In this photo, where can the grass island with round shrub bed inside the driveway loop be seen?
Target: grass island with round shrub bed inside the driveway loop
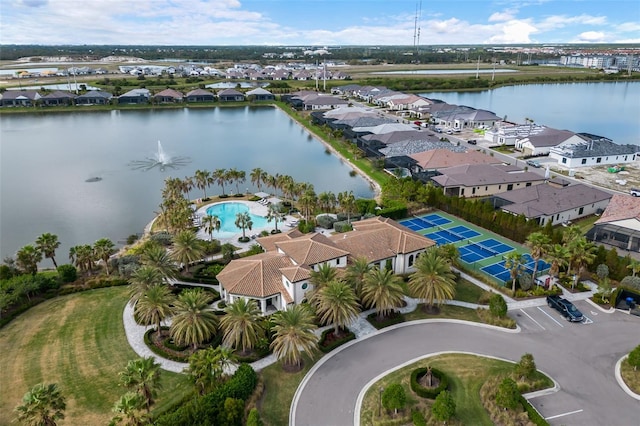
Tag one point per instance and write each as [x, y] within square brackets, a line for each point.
[467, 374]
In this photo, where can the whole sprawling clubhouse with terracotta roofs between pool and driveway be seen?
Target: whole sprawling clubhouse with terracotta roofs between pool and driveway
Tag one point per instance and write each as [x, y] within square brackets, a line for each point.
[280, 276]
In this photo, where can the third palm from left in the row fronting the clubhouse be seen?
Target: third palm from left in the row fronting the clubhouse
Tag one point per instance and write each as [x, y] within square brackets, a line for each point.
[241, 325]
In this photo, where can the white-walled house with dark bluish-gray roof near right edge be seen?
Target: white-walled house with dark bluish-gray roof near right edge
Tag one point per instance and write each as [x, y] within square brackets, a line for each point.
[593, 150]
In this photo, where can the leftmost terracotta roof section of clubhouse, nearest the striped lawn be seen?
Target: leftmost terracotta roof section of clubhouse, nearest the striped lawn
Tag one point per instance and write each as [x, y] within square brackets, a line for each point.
[256, 276]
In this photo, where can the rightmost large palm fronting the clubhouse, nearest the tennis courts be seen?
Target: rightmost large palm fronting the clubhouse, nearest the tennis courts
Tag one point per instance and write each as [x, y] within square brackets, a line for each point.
[433, 280]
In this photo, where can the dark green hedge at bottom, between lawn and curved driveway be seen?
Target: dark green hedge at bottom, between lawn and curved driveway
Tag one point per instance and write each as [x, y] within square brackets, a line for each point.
[208, 410]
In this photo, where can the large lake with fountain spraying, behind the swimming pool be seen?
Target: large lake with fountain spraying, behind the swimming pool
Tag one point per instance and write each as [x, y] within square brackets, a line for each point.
[46, 159]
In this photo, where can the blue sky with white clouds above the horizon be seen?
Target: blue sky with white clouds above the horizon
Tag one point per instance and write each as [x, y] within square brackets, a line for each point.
[318, 22]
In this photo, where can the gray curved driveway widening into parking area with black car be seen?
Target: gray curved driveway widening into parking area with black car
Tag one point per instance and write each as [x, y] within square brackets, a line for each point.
[581, 358]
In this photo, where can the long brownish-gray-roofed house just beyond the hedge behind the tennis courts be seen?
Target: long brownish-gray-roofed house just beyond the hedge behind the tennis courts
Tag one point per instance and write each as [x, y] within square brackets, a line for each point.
[553, 204]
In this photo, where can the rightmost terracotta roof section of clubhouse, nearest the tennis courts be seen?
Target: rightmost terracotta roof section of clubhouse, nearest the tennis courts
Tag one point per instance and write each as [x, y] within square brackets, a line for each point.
[380, 238]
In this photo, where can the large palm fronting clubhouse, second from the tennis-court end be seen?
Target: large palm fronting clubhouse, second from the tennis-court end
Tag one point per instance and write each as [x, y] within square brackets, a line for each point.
[382, 290]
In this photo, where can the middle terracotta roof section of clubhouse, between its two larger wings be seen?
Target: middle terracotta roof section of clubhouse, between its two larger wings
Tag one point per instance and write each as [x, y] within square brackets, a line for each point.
[310, 249]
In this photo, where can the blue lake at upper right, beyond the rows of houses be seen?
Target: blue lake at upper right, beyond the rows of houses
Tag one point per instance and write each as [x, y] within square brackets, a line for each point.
[611, 110]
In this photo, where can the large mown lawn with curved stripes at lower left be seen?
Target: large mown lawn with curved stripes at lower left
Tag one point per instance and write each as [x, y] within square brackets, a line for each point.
[78, 342]
